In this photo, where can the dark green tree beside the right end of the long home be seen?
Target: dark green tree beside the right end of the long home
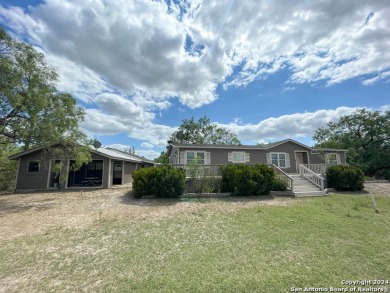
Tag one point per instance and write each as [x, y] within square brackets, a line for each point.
[366, 134]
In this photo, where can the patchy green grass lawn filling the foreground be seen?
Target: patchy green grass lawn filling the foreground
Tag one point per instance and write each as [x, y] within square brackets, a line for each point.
[317, 242]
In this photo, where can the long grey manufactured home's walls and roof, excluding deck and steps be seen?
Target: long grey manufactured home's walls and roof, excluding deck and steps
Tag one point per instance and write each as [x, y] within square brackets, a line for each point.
[286, 155]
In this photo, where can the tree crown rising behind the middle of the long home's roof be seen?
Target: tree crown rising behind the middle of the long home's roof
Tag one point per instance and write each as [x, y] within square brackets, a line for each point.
[203, 132]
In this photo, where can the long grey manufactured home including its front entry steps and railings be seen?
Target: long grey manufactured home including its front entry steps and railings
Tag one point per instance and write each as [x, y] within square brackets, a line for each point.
[291, 159]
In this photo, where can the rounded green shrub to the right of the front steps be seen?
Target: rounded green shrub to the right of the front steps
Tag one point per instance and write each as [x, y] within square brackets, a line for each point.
[345, 178]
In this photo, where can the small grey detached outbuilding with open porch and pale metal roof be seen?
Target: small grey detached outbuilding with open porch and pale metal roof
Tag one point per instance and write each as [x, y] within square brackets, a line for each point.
[109, 167]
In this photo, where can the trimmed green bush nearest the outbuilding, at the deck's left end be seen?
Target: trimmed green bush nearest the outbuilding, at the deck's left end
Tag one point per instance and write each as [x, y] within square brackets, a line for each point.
[159, 182]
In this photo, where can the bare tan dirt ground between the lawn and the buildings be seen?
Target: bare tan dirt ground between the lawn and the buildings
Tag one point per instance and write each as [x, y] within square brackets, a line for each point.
[36, 213]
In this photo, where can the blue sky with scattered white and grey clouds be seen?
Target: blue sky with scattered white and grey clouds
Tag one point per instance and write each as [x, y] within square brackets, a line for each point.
[266, 70]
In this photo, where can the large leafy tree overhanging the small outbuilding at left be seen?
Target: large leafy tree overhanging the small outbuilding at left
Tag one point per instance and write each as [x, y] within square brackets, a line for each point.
[32, 110]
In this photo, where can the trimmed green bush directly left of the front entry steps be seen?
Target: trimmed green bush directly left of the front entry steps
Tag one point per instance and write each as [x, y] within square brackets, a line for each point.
[244, 180]
